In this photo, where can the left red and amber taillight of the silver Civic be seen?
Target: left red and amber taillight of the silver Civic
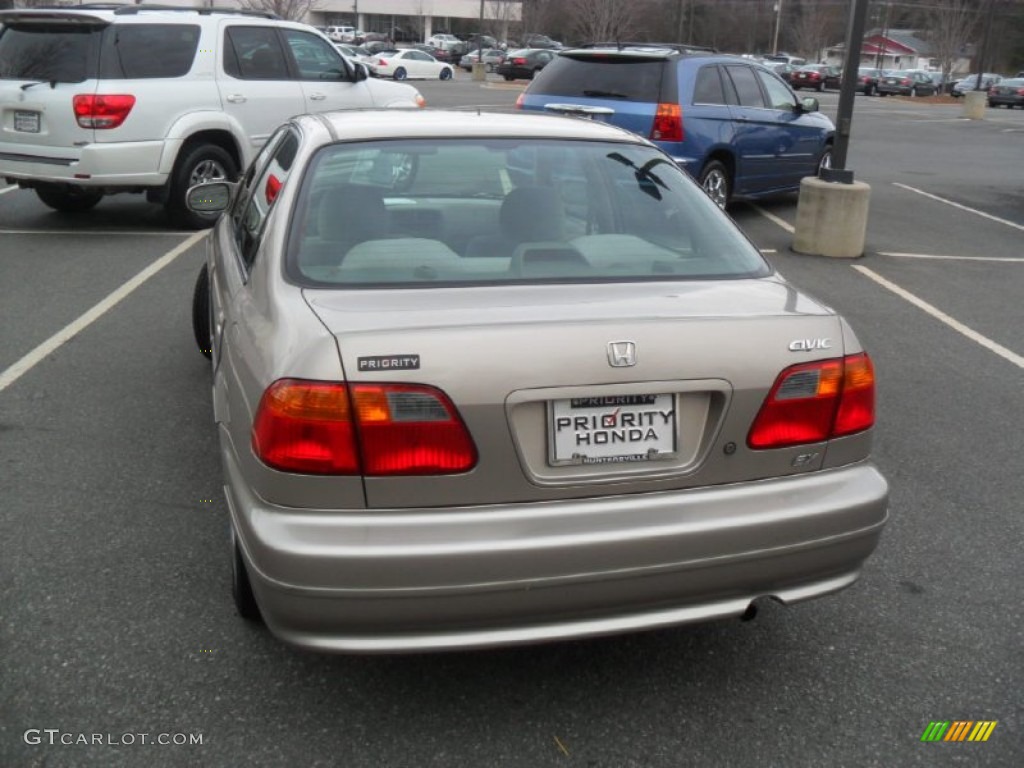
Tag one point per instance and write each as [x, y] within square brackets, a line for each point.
[373, 430]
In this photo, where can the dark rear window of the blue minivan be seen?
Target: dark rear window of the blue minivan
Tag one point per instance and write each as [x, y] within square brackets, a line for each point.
[594, 77]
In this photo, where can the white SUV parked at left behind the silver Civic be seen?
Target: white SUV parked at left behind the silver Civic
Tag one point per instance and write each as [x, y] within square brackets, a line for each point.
[97, 102]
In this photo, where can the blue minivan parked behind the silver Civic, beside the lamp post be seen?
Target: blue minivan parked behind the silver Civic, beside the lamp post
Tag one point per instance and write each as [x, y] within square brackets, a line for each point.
[735, 125]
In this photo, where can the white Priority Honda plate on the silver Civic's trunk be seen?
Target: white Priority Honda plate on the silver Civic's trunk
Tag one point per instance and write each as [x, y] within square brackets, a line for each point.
[613, 430]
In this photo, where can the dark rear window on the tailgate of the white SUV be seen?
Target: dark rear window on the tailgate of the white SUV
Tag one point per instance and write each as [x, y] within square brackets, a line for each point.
[65, 55]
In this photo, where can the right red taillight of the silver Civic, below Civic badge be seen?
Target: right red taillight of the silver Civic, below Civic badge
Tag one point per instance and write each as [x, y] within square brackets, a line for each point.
[817, 402]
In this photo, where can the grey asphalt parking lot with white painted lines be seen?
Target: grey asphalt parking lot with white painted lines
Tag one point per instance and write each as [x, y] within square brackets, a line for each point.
[115, 610]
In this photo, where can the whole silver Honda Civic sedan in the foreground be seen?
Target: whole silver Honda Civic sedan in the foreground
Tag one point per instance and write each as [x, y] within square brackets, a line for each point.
[495, 379]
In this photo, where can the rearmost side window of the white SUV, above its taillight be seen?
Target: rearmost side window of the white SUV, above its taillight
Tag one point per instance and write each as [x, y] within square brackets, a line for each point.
[149, 51]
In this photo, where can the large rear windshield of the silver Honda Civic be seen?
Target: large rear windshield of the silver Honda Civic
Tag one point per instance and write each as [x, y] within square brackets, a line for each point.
[424, 214]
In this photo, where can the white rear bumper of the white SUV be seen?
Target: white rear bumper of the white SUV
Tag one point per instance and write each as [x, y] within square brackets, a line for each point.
[124, 164]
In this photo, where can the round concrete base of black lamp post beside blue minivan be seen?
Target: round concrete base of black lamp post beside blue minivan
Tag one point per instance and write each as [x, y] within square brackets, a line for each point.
[832, 219]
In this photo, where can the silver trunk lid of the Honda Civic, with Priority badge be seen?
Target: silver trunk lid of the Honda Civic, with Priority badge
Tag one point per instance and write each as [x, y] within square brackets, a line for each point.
[568, 390]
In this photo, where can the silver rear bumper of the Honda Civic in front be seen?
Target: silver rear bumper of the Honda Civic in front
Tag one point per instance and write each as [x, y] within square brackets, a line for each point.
[388, 581]
